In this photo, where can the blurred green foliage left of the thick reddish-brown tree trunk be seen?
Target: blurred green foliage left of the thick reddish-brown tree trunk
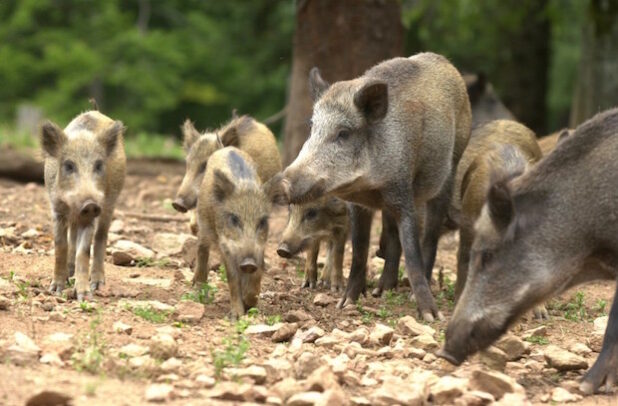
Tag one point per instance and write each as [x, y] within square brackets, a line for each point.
[197, 59]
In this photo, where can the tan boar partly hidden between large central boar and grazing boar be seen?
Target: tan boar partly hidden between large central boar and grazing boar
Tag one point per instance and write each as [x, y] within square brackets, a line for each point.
[497, 146]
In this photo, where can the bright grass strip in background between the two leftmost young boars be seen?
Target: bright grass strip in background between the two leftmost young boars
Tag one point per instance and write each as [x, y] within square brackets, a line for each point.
[144, 145]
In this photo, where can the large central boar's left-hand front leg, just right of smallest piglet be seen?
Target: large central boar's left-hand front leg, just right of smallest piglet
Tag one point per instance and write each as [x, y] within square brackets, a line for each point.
[360, 222]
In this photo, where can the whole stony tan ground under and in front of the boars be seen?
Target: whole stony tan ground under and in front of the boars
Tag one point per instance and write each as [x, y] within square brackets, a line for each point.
[150, 337]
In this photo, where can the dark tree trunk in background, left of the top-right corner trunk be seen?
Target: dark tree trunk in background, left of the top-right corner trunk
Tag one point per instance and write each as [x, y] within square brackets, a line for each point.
[524, 78]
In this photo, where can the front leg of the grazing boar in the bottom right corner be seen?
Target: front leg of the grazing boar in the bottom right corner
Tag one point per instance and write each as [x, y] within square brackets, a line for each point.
[605, 368]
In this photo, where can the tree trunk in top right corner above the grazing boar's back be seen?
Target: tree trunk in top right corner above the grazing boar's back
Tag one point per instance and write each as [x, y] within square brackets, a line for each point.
[597, 82]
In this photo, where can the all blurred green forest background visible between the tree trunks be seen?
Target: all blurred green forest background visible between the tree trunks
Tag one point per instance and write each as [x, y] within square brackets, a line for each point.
[154, 63]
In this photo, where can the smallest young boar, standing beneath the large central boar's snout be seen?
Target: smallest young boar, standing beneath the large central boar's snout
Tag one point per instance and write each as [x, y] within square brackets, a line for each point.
[309, 224]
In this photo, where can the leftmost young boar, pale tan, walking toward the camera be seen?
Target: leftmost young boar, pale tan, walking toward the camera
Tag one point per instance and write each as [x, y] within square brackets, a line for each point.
[84, 174]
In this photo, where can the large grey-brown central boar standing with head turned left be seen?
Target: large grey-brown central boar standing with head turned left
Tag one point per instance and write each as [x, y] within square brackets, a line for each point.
[391, 140]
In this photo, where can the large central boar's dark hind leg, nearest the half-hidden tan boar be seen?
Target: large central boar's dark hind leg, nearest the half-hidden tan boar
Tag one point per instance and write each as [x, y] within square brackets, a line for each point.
[435, 213]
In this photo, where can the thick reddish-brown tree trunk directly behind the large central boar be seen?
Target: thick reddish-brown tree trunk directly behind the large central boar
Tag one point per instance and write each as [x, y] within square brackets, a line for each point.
[343, 38]
